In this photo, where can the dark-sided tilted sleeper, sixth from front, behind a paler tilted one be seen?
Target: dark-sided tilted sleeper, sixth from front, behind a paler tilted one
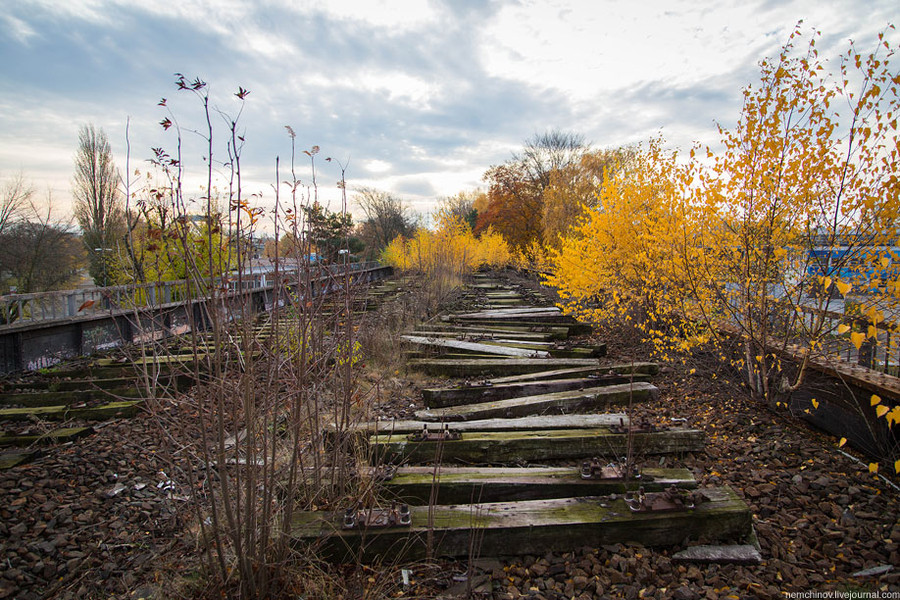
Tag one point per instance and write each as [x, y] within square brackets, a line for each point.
[442, 397]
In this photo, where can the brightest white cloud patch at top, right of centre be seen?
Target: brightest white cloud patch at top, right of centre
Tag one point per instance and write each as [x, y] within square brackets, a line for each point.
[586, 47]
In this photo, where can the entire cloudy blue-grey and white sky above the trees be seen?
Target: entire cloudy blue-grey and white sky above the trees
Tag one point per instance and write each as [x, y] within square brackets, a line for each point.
[417, 97]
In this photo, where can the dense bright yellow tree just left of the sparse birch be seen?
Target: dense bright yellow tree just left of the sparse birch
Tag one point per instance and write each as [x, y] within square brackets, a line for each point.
[627, 259]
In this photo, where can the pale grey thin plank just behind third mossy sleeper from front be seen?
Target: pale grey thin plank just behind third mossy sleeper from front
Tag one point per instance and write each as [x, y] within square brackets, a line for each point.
[520, 424]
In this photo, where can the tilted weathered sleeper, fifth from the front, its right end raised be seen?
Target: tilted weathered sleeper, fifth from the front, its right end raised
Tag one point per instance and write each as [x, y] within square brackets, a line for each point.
[595, 399]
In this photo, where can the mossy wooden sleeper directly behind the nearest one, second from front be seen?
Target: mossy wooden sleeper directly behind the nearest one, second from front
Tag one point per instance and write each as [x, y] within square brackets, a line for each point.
[459, 485]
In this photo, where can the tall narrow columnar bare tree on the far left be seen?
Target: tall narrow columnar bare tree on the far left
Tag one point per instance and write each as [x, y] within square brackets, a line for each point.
[98, 206]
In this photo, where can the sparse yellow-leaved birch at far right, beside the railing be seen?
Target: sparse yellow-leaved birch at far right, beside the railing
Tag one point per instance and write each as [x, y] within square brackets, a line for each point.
[802, 205]
